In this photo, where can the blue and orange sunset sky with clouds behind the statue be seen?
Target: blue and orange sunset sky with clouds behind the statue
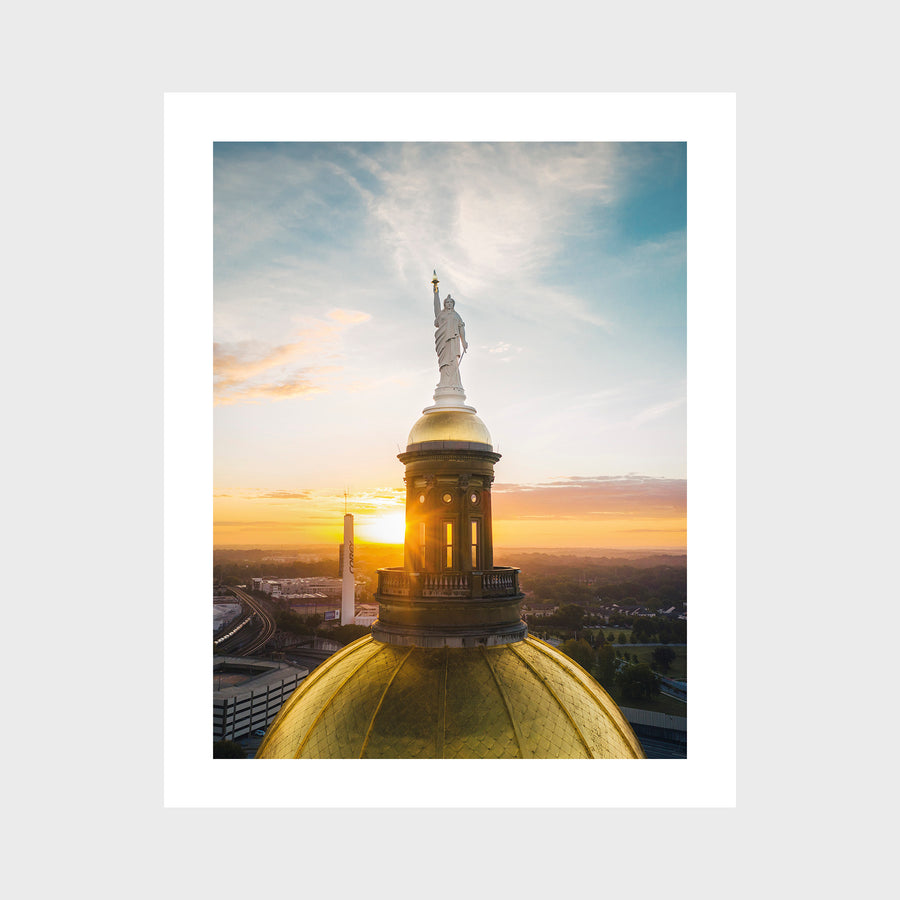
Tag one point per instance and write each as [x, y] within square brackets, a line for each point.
[568, 266]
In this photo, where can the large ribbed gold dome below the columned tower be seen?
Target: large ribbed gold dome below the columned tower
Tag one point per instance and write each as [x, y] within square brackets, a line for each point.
[378, 701]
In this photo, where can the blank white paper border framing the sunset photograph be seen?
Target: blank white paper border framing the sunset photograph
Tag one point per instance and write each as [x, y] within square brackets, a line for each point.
[192, 123]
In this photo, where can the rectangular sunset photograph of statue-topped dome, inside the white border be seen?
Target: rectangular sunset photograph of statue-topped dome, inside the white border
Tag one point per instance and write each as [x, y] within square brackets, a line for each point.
[449, 513]
